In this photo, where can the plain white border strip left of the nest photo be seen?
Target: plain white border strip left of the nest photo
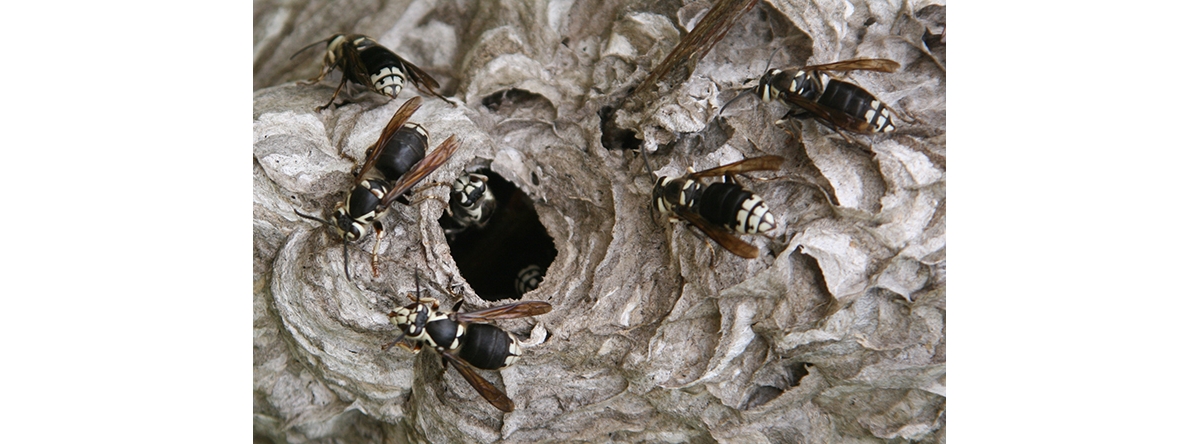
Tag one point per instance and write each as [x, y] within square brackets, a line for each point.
[127, 311]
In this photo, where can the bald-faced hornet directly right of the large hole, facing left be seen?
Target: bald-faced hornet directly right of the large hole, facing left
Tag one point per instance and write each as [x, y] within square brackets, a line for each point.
[721, 208]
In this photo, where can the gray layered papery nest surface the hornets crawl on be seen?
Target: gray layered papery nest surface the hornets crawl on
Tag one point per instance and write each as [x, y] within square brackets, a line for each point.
[836, 334]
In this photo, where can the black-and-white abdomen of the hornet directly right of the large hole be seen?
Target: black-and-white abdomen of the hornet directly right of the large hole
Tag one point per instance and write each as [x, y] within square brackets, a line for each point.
[734, 207]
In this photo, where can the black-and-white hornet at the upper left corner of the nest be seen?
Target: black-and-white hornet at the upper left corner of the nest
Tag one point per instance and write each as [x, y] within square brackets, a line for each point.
[368, 63]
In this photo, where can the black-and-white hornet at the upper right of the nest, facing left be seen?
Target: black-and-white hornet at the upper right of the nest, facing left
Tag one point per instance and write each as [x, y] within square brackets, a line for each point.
[812, 93]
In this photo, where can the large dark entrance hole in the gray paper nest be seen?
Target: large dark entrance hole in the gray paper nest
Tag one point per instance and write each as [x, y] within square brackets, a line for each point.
[508, 255]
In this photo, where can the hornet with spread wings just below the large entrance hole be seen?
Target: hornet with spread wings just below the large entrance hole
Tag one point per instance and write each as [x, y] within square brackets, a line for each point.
[465, 340]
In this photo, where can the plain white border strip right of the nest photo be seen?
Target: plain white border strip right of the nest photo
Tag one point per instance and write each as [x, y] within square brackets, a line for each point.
[1072, 227]
